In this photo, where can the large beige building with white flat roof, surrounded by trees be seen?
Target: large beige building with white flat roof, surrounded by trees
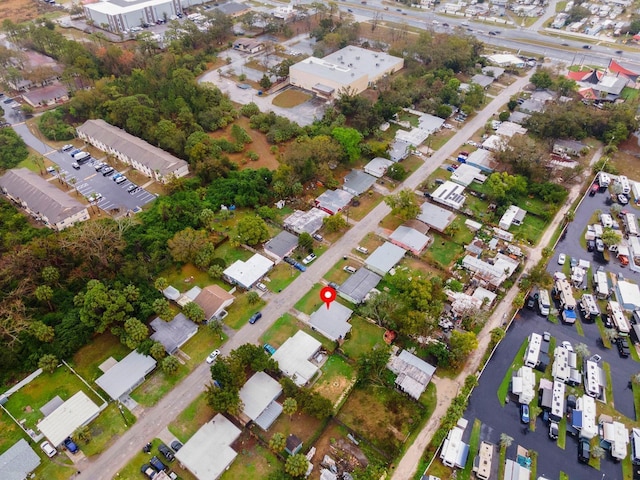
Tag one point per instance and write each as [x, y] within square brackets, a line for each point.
[351, 68]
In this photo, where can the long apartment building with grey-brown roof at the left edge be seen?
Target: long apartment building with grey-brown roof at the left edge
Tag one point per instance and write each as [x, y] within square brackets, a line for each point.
[42, 200]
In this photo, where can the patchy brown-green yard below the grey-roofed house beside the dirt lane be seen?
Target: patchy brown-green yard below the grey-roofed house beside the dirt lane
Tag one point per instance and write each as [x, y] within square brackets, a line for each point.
[381, 415]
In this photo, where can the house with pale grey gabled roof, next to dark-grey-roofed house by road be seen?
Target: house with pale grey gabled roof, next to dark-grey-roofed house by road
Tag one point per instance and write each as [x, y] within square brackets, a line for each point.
[126, 375]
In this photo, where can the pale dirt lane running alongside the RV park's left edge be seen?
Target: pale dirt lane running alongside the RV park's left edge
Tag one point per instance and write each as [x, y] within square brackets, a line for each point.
[445, 387]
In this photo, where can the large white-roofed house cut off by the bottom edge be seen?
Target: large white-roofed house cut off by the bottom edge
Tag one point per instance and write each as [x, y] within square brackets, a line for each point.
[208, 453]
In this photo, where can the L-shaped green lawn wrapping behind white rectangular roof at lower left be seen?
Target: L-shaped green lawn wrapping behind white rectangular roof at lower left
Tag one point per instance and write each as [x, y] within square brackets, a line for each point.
[25, 404]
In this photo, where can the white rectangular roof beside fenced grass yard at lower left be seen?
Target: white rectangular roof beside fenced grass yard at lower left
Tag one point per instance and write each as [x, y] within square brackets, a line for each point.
[79, 410]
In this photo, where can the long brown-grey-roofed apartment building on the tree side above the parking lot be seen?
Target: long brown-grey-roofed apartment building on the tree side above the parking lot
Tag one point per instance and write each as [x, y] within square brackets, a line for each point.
[151, 161]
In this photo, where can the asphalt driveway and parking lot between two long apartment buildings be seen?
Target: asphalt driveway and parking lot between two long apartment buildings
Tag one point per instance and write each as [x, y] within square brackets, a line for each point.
[87, 180]
